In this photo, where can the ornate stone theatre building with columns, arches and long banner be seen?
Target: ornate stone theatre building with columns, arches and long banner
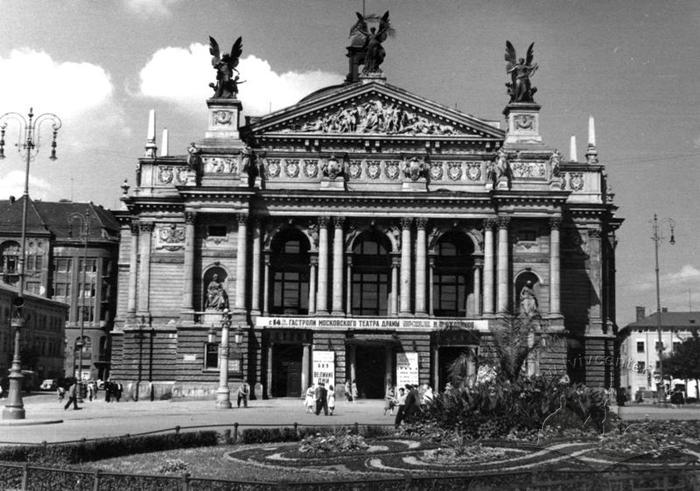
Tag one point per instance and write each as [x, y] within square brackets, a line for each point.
[364, 233]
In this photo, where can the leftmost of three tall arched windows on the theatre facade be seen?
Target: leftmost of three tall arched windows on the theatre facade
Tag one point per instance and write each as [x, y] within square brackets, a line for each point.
[290, 273]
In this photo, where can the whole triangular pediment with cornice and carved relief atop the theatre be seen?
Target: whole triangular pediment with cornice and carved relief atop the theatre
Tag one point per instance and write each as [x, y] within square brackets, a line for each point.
[373, 109]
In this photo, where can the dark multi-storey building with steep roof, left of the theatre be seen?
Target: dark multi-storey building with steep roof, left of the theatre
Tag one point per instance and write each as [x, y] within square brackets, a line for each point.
[63, 266]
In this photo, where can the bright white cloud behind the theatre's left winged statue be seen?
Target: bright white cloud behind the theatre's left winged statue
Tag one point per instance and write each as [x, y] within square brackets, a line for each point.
[182, 76]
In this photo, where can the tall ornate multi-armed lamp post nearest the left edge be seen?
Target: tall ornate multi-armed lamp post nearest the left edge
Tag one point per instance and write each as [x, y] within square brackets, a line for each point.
[28, 145]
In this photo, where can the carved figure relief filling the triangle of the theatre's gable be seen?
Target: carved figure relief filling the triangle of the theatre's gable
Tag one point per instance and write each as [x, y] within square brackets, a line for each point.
[375, 116]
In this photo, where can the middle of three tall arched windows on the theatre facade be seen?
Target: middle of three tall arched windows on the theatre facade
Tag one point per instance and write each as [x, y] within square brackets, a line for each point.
[371, 271]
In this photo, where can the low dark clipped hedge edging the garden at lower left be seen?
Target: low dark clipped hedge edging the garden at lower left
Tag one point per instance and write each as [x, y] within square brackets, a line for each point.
[86, 451]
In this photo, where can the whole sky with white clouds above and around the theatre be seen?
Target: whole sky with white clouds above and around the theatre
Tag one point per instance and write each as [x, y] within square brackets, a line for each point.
[633, 64]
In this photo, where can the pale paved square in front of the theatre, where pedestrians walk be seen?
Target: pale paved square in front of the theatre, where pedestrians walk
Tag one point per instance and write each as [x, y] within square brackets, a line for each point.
[99, 419]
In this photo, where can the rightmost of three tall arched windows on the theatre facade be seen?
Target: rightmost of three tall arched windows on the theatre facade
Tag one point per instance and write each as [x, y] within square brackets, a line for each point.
[452, 275]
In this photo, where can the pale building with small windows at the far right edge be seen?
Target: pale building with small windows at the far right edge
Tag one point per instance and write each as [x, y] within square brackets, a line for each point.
[639, 353]
